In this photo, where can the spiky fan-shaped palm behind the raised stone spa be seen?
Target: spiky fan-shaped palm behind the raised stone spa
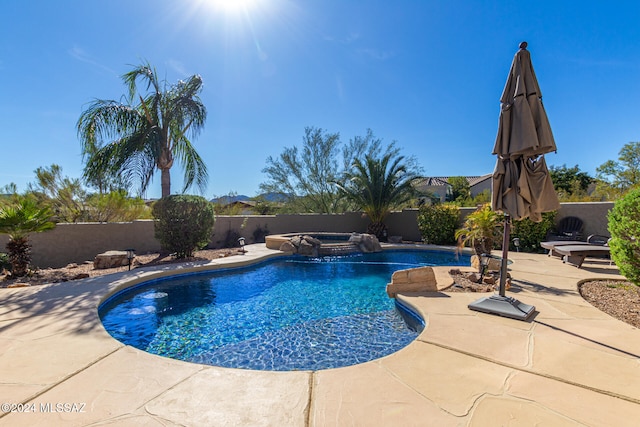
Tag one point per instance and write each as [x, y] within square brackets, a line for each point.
[376, 185]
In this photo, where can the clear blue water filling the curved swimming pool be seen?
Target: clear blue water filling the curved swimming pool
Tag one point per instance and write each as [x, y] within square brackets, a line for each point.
[290, 313]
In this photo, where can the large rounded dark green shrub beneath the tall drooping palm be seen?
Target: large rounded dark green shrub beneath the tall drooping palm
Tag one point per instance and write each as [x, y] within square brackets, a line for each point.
[183, 224]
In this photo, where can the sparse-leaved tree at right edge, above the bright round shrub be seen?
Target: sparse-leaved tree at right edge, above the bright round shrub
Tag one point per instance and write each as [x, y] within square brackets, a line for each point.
[622, 175]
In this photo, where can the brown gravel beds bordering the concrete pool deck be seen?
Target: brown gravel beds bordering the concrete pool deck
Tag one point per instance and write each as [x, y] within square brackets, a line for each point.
[619, 299]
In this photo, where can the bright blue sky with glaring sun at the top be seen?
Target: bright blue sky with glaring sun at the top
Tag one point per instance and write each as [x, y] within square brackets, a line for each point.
[427, 74]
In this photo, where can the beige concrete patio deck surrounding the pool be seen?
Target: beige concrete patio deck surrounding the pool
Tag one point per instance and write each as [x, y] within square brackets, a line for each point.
[569, 365]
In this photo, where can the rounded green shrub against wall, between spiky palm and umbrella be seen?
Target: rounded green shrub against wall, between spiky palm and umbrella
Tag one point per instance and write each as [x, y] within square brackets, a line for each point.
[438, 223]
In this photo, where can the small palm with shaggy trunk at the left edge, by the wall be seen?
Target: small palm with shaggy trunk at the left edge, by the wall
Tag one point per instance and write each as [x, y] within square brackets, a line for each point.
[18, 220]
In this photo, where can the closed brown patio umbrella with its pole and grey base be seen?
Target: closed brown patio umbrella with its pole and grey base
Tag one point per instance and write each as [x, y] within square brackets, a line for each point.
[521, 186]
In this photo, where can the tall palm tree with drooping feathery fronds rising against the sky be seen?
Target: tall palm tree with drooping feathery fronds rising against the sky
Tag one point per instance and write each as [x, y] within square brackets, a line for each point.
[132, 140]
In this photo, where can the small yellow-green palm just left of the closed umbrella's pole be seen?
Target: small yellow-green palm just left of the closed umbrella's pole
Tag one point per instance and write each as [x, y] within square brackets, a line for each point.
[480, 230]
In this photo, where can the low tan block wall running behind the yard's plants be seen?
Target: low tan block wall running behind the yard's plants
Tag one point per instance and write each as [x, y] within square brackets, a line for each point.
[80, 242]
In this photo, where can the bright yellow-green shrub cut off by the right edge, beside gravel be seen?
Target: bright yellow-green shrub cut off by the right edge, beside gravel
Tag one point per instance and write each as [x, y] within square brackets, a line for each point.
[624, 226]
